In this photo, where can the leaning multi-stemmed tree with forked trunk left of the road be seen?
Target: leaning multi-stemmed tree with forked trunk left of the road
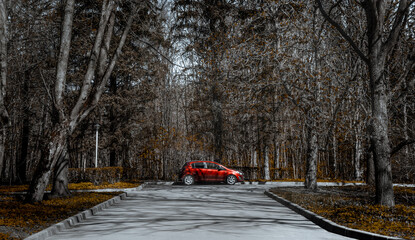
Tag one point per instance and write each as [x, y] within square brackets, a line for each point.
[65, 120]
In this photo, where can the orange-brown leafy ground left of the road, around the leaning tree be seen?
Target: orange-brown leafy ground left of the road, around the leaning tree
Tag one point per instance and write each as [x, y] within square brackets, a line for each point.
[18, 220]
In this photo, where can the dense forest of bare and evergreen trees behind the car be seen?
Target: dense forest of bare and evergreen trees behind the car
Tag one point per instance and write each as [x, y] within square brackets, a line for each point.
[279, 89]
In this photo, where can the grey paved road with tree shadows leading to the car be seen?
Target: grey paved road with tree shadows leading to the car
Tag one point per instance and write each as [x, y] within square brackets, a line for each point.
[198, 212]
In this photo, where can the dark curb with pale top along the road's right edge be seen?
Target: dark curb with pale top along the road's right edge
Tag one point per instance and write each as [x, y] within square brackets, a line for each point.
[327, 224]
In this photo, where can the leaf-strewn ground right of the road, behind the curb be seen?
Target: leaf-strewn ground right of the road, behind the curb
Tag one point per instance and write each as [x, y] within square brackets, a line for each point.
[353, 207]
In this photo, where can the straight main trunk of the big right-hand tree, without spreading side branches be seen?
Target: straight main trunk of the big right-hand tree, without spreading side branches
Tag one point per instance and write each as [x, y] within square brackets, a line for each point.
[378, 130]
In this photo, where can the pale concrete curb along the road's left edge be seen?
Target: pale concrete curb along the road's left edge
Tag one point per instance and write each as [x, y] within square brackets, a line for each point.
[80, 217]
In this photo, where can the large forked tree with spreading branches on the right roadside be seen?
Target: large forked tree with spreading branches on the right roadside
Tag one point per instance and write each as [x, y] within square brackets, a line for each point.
[383, 30]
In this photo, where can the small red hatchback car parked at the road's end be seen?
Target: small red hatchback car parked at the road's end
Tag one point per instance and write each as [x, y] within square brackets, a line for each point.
[208, 171]
